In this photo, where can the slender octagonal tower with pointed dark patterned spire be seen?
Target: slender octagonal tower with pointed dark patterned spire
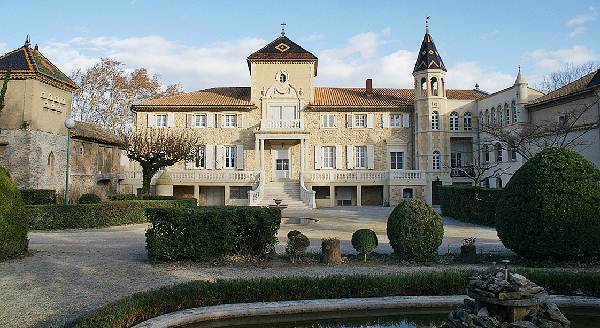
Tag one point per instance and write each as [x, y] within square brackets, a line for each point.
[432, 143]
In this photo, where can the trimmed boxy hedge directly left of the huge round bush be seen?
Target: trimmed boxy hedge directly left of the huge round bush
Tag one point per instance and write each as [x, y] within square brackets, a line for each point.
[470, 204]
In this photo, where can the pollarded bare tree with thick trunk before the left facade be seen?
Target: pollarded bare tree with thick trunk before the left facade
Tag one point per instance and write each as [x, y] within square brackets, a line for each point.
[155, 149]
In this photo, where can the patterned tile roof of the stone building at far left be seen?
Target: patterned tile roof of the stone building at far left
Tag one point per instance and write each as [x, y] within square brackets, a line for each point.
[25, 61]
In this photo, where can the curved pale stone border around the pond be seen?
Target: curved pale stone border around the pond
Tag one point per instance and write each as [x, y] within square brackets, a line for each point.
[231, 311]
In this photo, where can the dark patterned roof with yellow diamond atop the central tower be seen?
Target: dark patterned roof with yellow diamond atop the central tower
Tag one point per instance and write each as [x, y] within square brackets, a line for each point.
[282, 48]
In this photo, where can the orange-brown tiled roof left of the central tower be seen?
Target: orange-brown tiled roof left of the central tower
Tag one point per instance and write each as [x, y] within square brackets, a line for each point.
[214, 97]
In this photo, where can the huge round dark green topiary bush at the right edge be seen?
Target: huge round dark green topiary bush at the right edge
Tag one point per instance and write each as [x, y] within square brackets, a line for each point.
[550, 208]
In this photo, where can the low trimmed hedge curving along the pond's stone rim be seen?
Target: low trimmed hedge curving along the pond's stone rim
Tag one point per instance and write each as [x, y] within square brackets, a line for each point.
[146, 305]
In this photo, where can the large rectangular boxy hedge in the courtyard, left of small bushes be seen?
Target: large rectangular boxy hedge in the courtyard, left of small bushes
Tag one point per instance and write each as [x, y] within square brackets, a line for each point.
[206, 233]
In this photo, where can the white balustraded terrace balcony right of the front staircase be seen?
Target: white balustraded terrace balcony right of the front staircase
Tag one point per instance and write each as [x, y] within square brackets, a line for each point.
[396, 177]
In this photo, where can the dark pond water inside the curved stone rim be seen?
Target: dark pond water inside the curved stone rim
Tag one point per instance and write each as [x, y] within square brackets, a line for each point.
[423, 318]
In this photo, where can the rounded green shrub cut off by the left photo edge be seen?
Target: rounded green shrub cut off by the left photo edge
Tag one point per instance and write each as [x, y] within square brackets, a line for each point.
[13, 223]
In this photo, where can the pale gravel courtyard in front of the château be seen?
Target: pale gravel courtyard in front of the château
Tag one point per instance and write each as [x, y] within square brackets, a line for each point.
[74, 271]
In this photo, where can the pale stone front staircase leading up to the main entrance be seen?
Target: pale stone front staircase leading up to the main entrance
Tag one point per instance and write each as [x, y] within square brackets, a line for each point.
[288, 191]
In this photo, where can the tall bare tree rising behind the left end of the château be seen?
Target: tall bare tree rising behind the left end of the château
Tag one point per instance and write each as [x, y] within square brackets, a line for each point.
[107, 92]
